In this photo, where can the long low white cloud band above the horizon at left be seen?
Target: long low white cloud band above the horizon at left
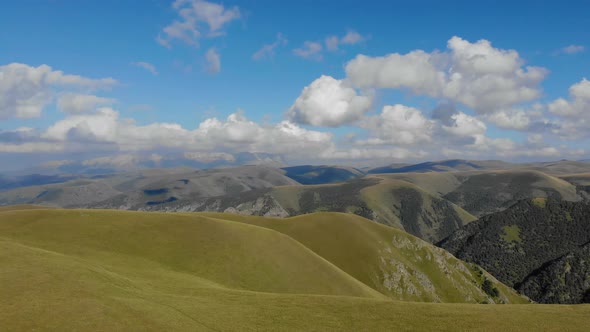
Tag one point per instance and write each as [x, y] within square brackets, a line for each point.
[105, 130]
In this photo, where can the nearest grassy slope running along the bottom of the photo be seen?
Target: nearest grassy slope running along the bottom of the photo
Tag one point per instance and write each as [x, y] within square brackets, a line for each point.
[65, 294]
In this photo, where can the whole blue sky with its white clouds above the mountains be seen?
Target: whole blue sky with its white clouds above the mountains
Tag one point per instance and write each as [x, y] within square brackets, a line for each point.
[168, 79]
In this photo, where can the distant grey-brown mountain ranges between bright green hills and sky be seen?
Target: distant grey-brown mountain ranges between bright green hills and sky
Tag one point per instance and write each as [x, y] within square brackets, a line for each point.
[429, 205]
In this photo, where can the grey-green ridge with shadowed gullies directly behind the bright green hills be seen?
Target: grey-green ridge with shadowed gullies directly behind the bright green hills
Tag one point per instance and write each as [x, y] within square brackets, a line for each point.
[391, 202]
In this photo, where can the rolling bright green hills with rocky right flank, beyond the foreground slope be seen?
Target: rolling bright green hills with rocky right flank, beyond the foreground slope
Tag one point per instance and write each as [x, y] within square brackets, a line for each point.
[258, 254]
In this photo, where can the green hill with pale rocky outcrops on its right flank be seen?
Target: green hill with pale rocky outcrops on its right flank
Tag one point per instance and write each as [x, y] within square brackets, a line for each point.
[374, 253]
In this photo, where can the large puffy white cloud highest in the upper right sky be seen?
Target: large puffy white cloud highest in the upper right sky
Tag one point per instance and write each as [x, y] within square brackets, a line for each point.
[474, 74]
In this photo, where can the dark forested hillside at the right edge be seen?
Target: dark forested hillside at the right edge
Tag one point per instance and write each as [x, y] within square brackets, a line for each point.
[537, 246]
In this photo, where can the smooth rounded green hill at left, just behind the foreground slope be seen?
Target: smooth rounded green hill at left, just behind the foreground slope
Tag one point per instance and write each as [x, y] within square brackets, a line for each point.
[231, 254]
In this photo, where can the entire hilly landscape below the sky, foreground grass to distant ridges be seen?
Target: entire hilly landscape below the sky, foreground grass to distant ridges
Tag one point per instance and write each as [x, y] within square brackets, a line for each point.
[254, 237]
